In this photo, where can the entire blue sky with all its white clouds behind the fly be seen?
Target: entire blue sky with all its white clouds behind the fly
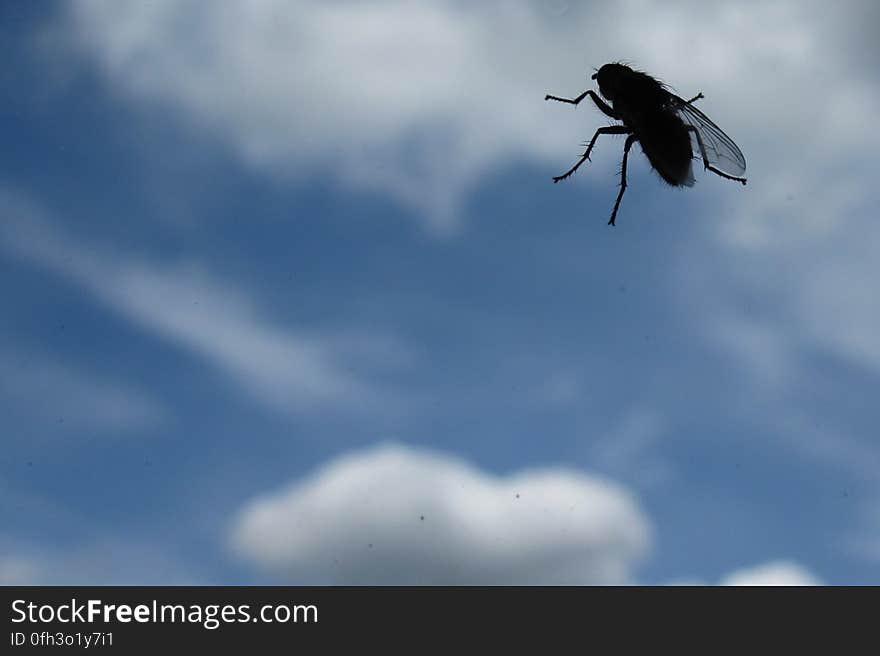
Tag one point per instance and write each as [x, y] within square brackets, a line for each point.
[292, 298]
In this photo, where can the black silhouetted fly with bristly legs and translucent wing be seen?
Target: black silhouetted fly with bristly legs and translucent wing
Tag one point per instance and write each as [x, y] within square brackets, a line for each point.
[663, 124]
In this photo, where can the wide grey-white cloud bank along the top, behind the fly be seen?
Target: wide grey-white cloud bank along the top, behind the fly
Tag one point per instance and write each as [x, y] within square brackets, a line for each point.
[420, 99]
